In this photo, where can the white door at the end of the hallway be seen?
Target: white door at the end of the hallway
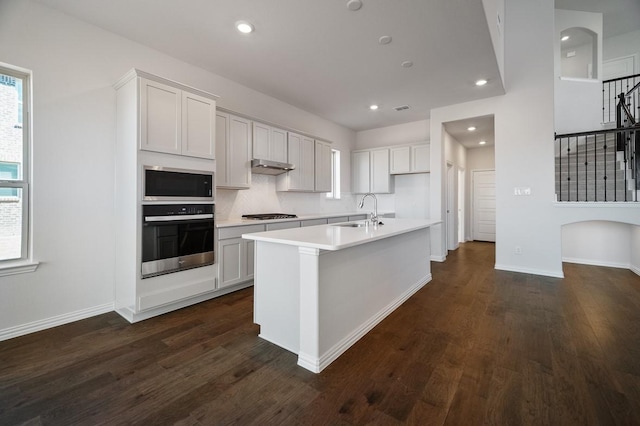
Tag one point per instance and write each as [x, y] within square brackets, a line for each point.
[484, 205]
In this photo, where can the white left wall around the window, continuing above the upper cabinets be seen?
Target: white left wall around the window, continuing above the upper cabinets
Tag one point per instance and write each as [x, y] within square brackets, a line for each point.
[74, 67]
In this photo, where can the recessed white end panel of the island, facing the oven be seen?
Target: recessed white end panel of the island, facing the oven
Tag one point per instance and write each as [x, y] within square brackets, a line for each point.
[277, 293]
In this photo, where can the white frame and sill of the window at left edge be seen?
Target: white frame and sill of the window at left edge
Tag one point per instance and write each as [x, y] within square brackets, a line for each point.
[25, 263]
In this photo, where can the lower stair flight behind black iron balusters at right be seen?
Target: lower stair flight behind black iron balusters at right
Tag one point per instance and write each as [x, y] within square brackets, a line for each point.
[589, 168]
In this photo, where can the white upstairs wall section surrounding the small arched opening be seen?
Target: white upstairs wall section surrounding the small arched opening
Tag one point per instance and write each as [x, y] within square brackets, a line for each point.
[578, 103]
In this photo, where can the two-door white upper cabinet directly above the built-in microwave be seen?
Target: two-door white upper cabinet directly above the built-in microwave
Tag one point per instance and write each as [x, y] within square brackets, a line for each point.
[175, 120]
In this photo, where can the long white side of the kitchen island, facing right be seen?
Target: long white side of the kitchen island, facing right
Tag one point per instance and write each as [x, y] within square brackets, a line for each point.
[360, 286]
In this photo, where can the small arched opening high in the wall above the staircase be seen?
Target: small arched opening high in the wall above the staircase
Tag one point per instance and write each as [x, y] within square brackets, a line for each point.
[579, 53]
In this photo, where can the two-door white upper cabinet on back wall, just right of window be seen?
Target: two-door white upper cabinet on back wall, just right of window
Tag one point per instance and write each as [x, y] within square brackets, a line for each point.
[370, 171]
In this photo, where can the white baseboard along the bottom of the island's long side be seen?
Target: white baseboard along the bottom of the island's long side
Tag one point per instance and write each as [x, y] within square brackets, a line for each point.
[316, 365]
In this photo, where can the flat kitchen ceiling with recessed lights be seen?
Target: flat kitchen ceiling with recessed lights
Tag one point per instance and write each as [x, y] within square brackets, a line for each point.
[319, 55]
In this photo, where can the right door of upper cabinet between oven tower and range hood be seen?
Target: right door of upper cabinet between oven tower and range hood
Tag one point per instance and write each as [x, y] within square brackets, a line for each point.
[239, 153]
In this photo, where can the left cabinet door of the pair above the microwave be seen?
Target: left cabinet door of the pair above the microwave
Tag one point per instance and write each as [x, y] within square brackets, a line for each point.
[160, 117]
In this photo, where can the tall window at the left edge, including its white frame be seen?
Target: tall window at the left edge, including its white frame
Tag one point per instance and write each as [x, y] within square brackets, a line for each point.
[15, 86]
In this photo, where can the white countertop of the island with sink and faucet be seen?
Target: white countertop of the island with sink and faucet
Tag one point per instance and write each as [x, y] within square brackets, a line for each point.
[332, 237]
